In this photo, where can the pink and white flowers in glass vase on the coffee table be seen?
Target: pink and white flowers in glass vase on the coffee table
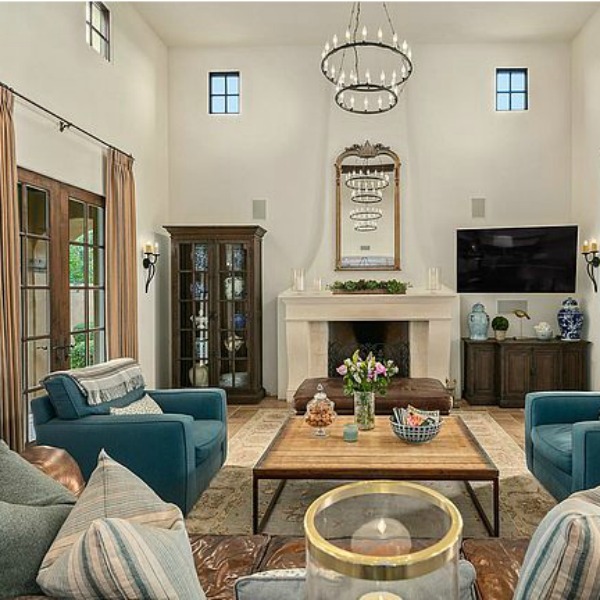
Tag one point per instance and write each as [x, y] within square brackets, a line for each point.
[364, 378]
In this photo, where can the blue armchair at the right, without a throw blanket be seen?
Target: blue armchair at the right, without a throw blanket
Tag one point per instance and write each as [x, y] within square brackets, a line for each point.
[562, 440]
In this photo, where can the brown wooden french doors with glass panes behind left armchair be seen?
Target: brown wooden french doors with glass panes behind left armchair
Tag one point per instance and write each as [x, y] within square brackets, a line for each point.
[62, 280]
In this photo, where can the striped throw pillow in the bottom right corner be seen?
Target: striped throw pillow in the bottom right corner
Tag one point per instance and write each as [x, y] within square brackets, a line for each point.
[563, 557]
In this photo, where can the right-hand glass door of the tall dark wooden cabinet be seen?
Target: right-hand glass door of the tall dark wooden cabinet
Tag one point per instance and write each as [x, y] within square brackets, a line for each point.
[233, 367]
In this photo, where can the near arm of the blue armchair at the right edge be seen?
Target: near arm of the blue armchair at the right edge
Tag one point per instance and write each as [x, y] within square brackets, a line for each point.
[586, 455]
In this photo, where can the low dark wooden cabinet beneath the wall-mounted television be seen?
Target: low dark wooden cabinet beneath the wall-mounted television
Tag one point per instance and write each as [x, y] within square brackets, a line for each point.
[503, 372]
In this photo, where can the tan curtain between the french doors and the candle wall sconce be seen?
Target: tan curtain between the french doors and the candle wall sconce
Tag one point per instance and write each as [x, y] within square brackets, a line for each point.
[121, 258]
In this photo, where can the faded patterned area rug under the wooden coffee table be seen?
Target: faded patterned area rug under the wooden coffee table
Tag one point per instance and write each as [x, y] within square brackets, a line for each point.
[225, 508]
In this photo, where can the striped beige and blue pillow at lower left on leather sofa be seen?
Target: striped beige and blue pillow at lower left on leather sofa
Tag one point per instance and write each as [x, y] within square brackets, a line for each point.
[120, 531]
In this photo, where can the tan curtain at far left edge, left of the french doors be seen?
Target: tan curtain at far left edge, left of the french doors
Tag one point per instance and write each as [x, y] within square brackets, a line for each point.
[12, 411]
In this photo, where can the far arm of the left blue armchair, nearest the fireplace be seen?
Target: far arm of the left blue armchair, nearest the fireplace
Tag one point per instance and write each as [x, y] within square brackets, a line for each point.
[200, 403]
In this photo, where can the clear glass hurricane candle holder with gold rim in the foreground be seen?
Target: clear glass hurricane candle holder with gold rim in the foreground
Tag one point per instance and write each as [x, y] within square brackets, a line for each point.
[382, 540]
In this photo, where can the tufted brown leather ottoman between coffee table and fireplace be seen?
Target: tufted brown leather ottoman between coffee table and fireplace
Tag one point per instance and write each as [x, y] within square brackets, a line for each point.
[420, 392]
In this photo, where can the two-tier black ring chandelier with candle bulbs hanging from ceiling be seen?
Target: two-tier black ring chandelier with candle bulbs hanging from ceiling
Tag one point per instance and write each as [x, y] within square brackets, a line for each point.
[357, 67]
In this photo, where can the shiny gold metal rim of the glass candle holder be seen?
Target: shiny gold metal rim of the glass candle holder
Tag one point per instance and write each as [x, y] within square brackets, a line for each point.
[376, 568]
